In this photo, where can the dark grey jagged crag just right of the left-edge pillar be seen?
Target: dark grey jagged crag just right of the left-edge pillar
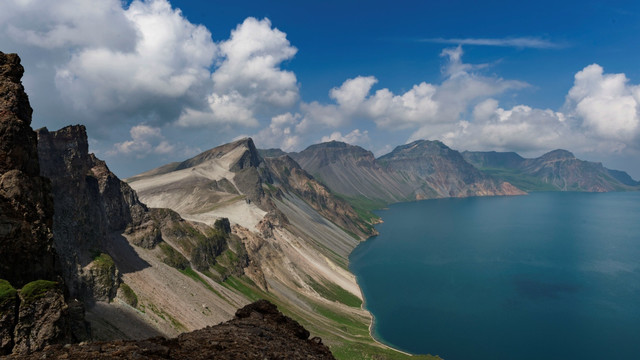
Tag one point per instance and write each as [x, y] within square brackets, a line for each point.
[90, 204]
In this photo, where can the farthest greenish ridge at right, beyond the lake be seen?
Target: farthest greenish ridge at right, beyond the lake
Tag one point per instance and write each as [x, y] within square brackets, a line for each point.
[558, 170]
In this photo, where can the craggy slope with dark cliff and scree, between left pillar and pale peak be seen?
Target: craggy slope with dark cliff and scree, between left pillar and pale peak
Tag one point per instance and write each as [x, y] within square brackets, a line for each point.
[117, 254]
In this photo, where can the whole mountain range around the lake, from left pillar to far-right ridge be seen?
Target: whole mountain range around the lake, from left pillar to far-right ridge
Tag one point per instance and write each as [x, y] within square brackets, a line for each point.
[87, 256]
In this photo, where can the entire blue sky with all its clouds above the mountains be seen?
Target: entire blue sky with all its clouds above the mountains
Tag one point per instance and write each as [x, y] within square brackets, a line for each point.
[156, 81]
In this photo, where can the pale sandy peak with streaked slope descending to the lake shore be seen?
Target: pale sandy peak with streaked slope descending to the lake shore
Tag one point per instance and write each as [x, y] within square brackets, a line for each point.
[297, 235]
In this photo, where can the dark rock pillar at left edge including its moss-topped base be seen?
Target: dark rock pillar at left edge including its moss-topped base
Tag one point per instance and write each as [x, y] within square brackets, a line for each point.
[38, 314]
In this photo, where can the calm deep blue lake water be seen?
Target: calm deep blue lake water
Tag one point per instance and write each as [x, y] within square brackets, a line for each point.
[543, 276]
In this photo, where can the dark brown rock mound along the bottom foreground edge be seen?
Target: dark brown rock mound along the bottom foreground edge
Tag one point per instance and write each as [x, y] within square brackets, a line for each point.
[259, 331]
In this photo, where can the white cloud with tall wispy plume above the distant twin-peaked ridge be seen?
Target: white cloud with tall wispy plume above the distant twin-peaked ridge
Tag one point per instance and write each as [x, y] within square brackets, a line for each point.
[423, 105]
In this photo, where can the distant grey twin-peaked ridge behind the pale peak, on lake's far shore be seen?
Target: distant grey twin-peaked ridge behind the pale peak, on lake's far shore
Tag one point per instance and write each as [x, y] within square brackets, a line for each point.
[420, 170]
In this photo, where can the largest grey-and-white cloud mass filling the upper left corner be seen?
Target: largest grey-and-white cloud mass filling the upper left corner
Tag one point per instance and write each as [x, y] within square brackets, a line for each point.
[104, 64]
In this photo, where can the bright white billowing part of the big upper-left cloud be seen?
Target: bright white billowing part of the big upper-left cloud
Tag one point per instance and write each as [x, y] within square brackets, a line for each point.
[170, 57]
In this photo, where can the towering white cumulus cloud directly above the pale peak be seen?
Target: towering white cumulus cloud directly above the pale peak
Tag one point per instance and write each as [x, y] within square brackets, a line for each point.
[249, 80]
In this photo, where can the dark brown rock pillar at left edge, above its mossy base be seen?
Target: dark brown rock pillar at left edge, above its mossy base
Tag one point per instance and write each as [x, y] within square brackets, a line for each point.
[26, 206]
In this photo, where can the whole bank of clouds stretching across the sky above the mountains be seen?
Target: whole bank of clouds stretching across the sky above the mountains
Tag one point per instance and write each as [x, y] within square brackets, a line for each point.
[145, 73]
